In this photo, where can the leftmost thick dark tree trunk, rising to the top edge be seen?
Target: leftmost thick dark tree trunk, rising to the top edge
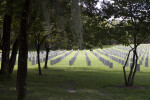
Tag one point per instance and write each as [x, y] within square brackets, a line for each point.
[6, 38]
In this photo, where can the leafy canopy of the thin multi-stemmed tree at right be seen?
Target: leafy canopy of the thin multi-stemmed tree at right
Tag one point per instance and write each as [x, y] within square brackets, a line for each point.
[134, 20]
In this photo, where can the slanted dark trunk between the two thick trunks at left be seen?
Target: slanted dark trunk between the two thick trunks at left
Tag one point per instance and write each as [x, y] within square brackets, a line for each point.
[12, 60]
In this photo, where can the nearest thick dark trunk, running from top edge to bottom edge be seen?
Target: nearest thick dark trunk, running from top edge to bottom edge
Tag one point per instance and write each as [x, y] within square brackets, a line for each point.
[23, 53]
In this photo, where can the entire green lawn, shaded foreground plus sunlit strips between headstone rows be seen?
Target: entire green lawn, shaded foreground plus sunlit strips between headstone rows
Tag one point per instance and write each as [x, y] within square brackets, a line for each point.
[79, 81]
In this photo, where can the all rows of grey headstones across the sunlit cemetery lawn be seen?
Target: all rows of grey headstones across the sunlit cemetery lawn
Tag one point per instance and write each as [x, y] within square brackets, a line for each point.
[116, 54]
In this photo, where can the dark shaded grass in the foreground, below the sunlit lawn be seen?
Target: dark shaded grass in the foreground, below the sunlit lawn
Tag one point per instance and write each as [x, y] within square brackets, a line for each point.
[88, 85]
